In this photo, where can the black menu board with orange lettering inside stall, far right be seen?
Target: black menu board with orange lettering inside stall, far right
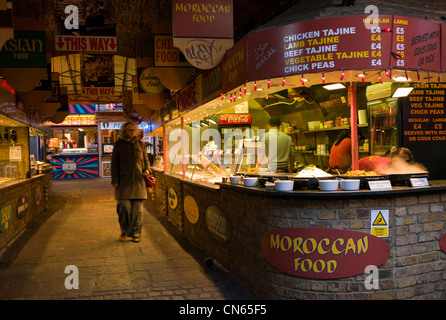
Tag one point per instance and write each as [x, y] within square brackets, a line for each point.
[424, 126]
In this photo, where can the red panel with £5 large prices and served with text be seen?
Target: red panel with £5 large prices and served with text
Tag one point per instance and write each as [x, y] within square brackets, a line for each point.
[416, 44]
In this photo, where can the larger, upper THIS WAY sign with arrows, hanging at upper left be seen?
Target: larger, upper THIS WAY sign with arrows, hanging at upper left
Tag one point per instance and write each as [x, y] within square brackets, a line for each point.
[86, 43]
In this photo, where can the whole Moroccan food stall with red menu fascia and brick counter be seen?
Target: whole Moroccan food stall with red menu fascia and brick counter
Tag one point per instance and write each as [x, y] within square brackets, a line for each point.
[317, 239]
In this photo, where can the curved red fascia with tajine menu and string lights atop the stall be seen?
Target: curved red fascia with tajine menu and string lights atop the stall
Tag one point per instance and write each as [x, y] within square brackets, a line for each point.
[349, 49]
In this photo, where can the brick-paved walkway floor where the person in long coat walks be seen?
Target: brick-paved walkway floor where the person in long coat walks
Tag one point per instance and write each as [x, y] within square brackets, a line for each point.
[80, 229]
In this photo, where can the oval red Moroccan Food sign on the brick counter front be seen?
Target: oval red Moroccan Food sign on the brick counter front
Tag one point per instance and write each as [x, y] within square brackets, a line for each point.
[321, 253]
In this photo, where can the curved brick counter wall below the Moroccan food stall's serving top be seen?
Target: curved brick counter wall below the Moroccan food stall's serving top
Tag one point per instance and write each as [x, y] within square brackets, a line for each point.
[416, 268]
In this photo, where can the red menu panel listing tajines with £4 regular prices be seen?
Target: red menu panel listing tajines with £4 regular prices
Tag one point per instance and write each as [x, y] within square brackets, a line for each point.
[320, 46]
